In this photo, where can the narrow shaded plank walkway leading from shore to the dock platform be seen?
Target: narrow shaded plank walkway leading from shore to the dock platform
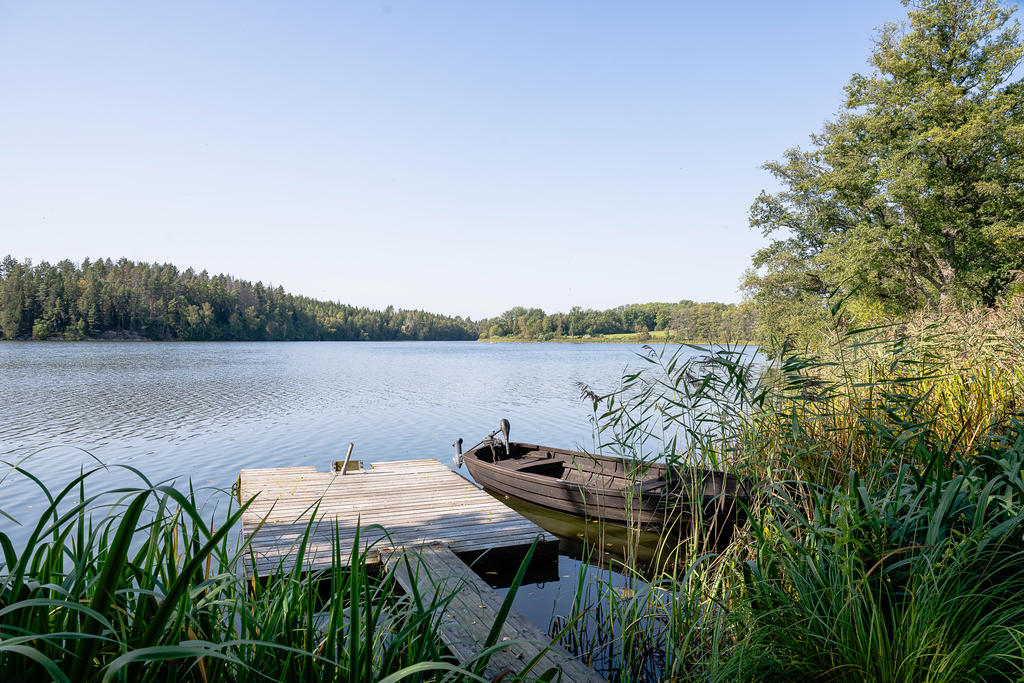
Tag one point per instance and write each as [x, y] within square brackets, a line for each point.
[436, 571]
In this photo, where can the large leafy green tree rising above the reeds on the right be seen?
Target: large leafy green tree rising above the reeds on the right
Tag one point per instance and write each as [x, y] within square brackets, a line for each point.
[915, 194]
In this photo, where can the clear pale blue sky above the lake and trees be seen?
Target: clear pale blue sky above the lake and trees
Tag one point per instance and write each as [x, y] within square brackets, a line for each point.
[459, 157]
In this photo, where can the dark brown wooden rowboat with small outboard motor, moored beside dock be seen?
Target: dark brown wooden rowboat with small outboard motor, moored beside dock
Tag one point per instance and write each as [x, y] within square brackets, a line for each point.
[603, 487]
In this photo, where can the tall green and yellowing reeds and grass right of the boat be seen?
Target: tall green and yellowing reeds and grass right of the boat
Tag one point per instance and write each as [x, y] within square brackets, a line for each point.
[886, 542]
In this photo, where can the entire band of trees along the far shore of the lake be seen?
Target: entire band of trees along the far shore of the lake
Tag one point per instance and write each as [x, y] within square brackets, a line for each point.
[125, 300]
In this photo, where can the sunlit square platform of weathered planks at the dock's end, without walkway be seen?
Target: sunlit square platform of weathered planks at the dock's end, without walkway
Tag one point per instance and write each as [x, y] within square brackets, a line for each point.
[417, 502]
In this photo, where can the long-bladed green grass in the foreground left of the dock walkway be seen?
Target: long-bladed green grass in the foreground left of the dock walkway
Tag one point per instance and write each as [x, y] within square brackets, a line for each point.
[134, 584]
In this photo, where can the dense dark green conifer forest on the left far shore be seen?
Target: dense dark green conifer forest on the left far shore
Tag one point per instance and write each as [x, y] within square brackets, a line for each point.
[104, 298]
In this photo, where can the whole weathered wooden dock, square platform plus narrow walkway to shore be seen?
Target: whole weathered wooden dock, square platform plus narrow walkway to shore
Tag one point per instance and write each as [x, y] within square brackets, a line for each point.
[420, 511]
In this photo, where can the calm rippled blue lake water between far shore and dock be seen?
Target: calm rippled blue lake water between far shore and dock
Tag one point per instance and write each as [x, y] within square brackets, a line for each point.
[204, 411]
